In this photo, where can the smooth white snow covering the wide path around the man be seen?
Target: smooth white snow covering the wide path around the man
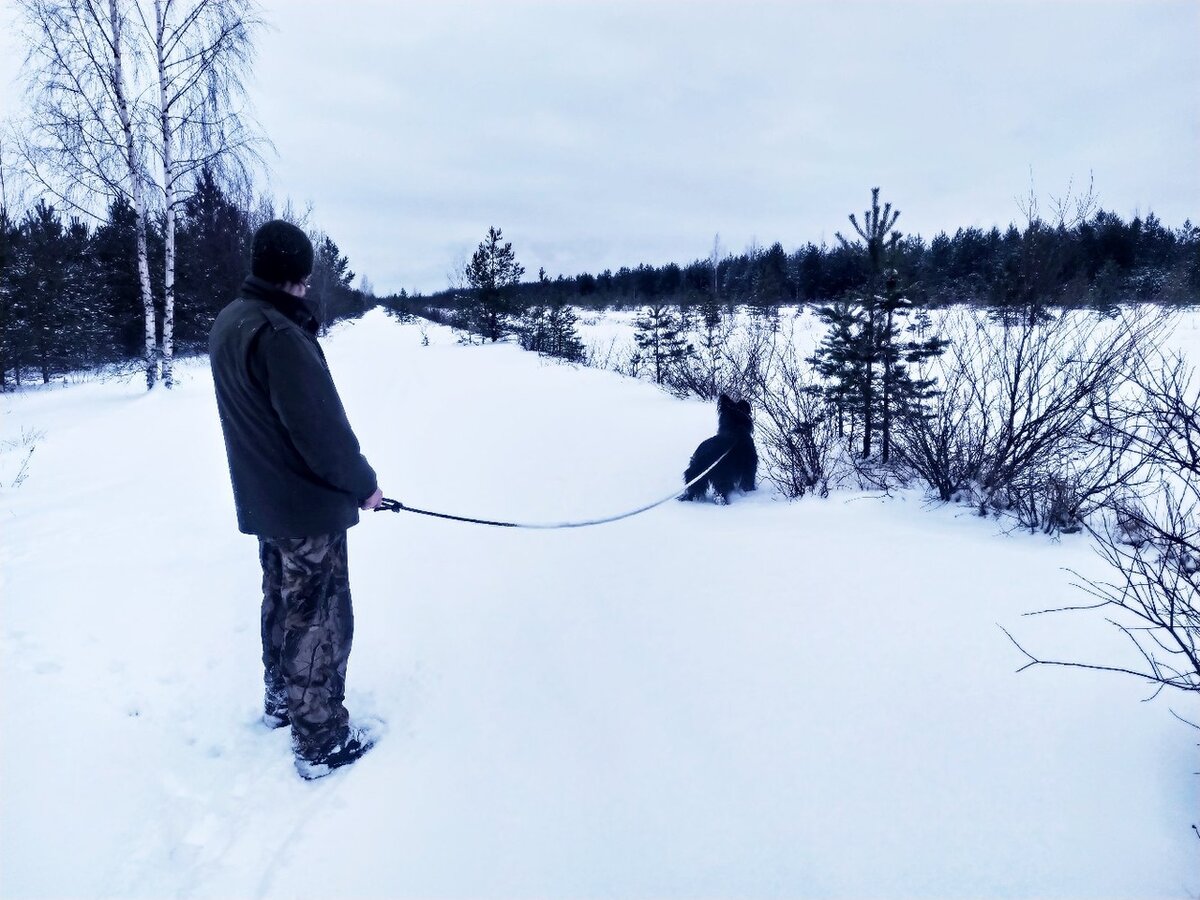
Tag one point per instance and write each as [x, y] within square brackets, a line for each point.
[765, 700]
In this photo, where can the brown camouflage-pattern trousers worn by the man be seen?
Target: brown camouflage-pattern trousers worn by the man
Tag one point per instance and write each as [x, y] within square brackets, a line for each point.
[308, 628]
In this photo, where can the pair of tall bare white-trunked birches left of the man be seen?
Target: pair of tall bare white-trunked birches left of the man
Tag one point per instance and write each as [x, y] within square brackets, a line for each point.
[117, 86]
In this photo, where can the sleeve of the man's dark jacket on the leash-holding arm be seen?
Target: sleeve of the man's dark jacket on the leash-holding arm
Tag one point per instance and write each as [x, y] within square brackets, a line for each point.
[307, 401]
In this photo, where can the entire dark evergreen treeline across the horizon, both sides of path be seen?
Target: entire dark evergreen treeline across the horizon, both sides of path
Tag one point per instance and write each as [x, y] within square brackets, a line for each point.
[70, 296]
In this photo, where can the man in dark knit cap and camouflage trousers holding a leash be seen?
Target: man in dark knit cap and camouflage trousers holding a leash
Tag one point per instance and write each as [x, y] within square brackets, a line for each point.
[299, 482]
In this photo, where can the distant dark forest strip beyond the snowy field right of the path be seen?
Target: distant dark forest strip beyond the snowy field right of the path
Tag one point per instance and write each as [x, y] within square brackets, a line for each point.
[1099, 261]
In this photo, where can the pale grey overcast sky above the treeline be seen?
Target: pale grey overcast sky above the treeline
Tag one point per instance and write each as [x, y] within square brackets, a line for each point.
[599, 135]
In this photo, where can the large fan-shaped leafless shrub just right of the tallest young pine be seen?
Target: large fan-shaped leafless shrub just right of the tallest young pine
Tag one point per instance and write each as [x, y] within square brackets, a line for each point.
[1015, 427]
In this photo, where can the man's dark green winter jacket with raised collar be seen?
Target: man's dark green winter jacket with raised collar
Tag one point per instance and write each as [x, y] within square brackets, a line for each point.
[295, 463]
